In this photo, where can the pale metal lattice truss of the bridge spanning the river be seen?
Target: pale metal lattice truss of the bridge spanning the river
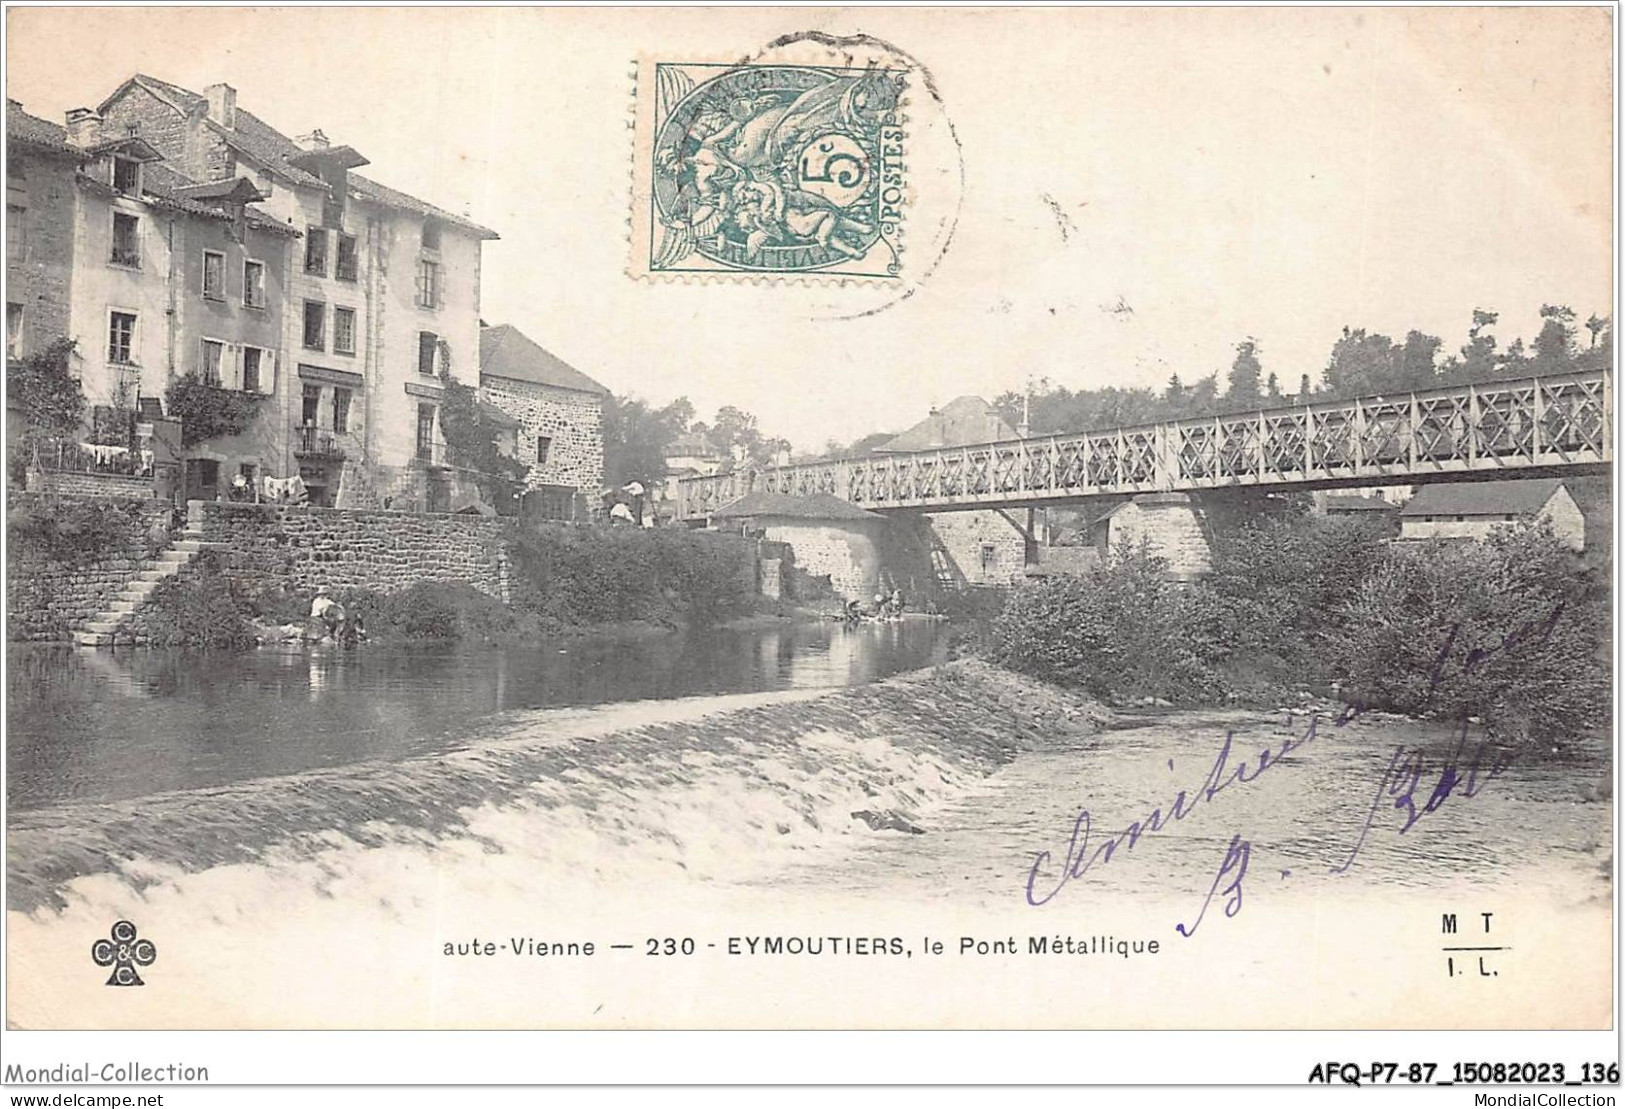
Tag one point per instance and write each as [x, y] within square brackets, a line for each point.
[1559, 424]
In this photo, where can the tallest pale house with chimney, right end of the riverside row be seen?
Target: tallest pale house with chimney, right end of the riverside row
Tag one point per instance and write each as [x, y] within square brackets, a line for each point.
[381, 297]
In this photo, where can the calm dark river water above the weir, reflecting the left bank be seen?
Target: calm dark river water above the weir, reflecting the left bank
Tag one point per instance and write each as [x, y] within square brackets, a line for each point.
[95, 726]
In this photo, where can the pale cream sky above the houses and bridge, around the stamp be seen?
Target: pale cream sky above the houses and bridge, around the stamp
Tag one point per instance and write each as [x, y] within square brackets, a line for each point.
[1132, 191]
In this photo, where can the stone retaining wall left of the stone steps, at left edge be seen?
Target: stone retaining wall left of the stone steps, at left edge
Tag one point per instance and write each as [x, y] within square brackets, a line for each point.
[48, 598]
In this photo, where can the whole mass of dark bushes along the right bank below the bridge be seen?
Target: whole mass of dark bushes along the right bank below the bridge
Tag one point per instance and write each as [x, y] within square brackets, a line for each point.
[1512, 630]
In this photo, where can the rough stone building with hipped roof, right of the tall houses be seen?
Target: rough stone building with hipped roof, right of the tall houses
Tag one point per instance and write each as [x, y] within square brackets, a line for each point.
[560, 422]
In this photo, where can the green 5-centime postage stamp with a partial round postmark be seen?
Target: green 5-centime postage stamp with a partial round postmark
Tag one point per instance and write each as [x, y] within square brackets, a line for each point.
[768, 172]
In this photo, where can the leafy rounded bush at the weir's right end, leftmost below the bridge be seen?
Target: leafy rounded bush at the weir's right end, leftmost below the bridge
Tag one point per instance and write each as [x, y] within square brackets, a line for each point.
[1120, 632]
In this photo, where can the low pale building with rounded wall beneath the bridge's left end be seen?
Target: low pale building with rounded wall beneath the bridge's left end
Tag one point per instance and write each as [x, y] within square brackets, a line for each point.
[831, 537]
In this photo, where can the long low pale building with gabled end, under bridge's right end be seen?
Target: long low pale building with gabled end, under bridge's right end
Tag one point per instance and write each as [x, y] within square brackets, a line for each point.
[1471, 510]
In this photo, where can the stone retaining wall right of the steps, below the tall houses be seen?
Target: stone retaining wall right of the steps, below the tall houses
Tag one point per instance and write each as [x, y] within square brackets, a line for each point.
[352, 549]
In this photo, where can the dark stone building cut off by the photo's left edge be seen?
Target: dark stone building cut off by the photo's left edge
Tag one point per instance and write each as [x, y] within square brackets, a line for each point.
[40, 201]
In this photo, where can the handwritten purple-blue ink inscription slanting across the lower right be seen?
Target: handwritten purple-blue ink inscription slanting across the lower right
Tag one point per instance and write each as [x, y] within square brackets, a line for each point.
[1400, 785]
